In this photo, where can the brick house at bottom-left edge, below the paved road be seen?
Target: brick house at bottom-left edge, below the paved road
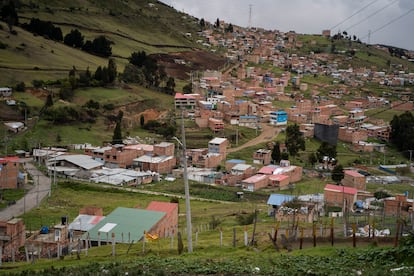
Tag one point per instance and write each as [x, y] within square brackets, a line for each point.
[12, 237]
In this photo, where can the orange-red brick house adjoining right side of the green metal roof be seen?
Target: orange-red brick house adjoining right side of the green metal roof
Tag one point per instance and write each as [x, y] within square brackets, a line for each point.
[169, 222]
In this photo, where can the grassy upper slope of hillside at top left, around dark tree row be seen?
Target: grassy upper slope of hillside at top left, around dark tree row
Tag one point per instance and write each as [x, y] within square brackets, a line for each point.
[130, 25]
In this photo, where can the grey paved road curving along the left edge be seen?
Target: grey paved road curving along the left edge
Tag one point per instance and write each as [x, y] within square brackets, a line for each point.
[39, 190]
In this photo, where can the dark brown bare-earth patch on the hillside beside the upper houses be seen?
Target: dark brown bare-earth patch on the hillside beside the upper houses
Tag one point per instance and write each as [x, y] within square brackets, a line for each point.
[179, 65]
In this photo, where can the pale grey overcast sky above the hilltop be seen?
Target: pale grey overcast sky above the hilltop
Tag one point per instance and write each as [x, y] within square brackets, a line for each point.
[391, 22]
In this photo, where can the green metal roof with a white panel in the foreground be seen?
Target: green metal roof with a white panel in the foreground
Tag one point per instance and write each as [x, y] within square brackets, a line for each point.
[125, 220]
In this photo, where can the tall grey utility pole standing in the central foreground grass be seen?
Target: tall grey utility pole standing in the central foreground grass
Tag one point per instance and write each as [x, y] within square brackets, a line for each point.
[186, 188]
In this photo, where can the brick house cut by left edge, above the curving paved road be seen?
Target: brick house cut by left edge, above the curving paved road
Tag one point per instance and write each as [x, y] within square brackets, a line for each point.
[9, 171]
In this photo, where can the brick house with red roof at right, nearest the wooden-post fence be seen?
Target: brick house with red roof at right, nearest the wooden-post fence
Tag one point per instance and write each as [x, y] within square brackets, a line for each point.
[336, 195]
